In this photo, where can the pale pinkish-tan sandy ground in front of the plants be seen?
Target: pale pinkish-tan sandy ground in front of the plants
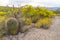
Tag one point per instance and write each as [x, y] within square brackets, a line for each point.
[39, 34]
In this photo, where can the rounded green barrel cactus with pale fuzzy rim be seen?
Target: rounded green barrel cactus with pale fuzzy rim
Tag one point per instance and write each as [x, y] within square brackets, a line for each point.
[12, 26]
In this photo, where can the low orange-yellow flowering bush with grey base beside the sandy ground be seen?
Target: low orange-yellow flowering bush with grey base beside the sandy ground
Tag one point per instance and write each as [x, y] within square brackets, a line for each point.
[44, 23]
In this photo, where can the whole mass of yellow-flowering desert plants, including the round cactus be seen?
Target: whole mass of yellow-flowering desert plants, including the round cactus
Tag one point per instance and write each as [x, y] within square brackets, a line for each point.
[14, 20]
